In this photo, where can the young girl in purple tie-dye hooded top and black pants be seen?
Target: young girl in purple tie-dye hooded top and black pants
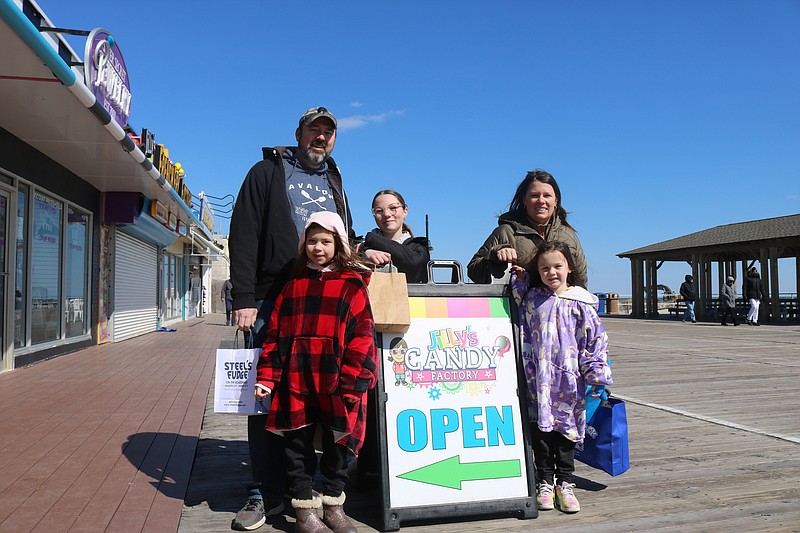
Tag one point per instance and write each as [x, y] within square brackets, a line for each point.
[564, 349]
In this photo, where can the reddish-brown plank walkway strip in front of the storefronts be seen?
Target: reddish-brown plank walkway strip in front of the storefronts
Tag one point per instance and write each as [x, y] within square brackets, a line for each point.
[96, 456]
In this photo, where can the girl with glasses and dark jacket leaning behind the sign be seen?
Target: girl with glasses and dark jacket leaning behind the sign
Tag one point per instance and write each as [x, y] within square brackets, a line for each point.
[392, 241]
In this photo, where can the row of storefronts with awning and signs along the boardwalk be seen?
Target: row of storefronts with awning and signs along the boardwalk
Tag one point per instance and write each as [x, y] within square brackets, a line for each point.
[100, 240]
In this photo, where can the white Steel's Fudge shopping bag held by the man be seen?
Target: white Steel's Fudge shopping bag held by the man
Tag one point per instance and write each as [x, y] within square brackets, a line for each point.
[234, 382]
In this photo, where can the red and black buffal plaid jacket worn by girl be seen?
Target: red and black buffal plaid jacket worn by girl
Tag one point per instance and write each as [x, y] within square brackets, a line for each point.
[320, 349]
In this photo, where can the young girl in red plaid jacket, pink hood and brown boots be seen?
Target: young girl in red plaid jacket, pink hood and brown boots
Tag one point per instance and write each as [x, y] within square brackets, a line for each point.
[318, 361]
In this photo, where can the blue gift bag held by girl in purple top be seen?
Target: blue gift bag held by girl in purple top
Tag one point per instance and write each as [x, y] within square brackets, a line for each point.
[605, 445]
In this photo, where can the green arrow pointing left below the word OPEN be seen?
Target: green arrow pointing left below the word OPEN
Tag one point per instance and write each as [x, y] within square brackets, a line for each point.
[452, 472]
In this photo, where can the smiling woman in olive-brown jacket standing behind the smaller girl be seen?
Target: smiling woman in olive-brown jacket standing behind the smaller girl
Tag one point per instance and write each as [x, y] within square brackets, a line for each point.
[534, 216]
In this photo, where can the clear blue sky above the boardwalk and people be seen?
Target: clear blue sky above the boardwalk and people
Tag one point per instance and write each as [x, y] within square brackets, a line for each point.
[657, 118]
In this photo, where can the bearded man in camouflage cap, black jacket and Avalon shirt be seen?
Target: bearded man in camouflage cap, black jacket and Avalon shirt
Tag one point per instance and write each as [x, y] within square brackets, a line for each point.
[277, 196]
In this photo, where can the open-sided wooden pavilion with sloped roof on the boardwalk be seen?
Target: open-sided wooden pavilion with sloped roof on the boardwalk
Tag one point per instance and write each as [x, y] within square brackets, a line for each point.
[731, 247]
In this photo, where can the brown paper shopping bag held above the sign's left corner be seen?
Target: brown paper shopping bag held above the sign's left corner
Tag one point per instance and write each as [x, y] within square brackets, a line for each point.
[388, 296]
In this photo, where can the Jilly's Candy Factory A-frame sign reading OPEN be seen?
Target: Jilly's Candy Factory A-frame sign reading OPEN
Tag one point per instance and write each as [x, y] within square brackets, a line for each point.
[452, 424]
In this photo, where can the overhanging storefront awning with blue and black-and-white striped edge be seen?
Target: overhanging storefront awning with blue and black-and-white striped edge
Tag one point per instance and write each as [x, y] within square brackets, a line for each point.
[47, 105]
